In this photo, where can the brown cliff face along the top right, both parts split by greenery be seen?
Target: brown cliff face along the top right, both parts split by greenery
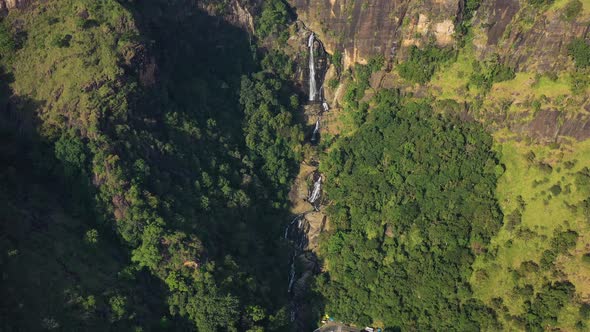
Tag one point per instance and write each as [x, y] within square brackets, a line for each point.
[388, 27]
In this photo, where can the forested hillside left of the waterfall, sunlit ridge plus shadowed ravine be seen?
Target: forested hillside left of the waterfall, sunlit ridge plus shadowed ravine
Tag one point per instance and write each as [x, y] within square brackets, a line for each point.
[180, 167]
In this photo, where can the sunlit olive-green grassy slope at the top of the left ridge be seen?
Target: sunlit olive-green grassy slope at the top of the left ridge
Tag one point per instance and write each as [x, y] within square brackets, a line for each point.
[89, 59]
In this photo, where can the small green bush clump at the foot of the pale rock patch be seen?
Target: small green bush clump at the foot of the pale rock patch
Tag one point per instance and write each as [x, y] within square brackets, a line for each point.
[422, 63]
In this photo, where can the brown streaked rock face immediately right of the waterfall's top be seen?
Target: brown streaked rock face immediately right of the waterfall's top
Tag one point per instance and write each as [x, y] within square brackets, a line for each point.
[361, 29]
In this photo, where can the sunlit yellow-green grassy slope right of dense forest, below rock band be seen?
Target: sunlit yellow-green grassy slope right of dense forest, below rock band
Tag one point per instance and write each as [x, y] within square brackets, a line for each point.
[541, 215]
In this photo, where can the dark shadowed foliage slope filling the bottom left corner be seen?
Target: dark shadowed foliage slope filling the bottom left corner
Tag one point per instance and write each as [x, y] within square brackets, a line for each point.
[55, 273]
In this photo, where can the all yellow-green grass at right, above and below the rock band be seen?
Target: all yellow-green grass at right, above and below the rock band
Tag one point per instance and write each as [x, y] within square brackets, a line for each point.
[542, 215]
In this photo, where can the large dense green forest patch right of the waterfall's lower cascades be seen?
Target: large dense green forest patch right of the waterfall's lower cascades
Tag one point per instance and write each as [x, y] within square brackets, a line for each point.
[390, 175]
